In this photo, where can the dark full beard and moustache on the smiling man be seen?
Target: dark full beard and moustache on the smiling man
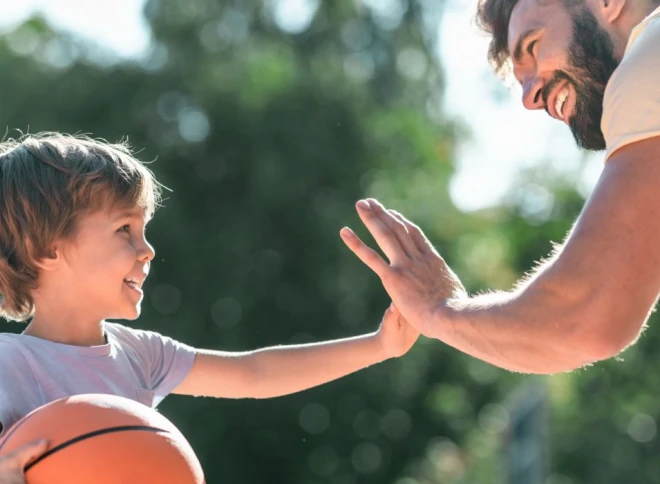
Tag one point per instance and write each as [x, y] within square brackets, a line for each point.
[591, 63]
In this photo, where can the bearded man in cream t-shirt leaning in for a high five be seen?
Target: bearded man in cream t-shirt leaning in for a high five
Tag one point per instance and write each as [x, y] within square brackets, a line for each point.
[594, 65]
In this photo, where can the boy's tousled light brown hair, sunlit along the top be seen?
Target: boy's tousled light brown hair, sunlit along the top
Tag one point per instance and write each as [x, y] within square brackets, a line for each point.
[47, 181]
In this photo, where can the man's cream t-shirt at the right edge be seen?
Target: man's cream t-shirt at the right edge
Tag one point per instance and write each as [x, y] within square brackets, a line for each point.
[631, 106]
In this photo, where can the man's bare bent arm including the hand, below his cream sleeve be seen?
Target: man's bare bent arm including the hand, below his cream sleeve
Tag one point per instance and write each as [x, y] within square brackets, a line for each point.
[587, 302]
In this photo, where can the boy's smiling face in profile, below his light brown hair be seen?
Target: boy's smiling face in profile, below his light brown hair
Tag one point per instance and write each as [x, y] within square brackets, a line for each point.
[107, 261]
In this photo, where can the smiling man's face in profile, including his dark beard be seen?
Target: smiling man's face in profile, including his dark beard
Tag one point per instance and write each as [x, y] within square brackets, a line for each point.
[563, 59]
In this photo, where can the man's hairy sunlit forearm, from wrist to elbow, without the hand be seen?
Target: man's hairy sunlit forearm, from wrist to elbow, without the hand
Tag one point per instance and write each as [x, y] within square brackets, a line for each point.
[530, 330]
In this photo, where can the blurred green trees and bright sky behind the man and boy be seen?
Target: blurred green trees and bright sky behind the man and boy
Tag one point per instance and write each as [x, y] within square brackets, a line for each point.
[268, 120]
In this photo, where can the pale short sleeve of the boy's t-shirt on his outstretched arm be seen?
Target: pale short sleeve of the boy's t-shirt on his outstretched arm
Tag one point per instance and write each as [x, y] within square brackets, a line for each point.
[169, 361]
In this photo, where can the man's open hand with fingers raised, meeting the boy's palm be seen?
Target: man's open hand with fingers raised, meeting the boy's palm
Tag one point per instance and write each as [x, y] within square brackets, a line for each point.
[417, 279]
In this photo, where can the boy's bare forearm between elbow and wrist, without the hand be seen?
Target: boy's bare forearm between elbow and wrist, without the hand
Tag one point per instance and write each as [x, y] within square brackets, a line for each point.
[289, 369]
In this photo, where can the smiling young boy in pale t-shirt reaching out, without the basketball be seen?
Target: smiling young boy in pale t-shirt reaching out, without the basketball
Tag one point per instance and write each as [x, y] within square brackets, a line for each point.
[73, 253]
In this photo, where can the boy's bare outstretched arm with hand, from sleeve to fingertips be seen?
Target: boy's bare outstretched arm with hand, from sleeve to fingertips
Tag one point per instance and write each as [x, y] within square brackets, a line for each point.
[281, 370]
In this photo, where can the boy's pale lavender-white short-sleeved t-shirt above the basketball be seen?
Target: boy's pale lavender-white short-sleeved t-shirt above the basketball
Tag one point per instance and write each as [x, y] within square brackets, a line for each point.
[141, 365]
